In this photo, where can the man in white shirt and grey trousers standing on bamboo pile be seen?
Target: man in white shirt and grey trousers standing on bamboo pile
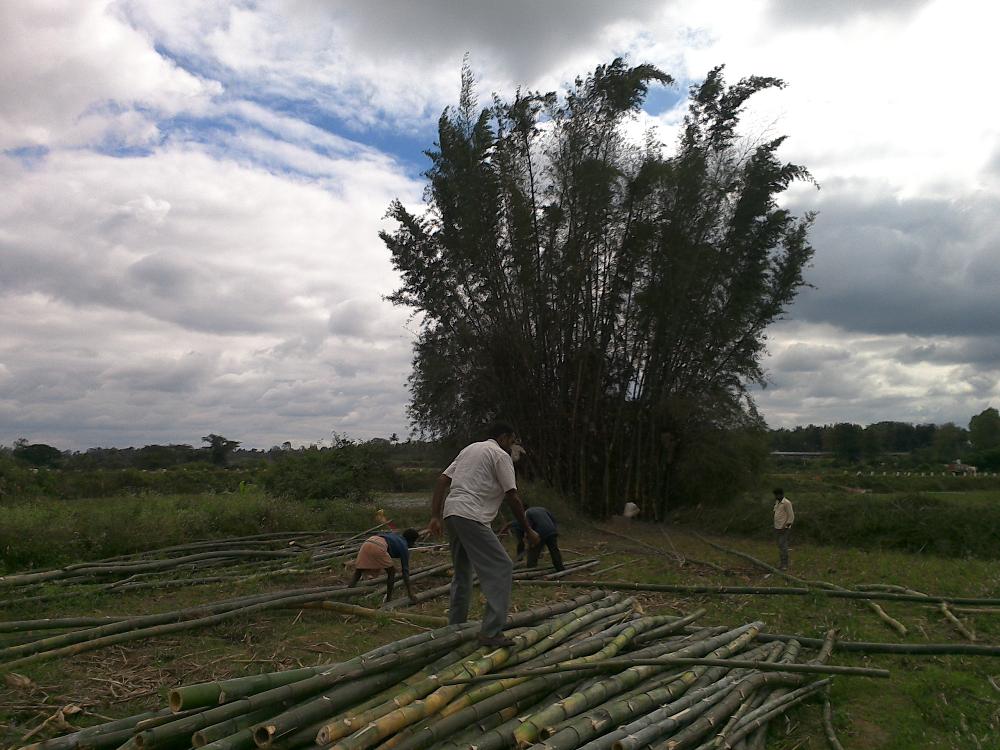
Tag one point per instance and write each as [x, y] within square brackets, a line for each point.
[466, 499]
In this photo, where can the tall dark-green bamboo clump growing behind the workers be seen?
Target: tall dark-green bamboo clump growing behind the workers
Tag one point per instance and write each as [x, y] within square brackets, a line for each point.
[608, 297]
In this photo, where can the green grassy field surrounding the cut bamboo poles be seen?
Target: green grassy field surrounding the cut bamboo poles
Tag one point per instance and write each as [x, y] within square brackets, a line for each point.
[930, 702]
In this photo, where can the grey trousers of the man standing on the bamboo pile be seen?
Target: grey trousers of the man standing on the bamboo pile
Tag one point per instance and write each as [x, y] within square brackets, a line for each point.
[475, 548]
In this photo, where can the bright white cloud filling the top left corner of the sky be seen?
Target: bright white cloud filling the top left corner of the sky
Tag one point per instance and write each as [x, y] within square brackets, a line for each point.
[70, 68]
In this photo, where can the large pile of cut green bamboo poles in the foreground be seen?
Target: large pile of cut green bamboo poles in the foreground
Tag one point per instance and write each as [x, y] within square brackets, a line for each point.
[591, 672]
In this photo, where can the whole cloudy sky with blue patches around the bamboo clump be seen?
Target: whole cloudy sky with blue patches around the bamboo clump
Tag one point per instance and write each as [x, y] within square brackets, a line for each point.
[193, 190]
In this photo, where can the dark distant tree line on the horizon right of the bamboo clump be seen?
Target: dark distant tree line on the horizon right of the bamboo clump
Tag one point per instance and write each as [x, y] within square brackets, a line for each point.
[979, 444]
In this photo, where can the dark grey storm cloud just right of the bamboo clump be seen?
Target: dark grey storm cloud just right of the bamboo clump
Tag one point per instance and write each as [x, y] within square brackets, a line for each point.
[913, 266]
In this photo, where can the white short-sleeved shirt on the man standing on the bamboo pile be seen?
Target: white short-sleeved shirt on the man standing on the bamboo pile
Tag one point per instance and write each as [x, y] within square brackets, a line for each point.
[480, 476]
